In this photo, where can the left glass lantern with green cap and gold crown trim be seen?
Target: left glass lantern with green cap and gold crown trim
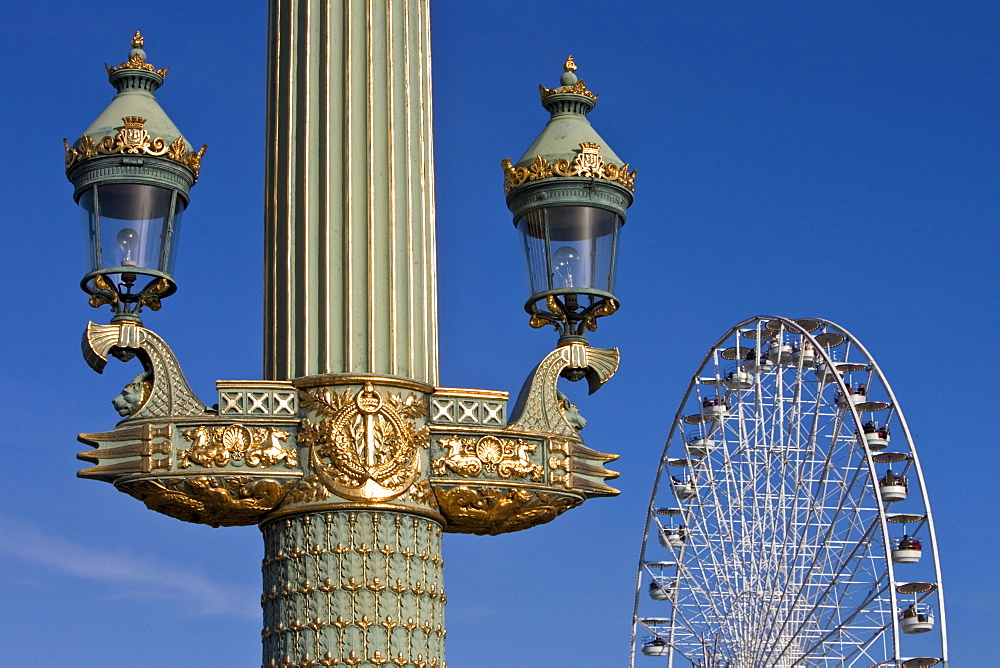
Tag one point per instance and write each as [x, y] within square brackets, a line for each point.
[131, 170]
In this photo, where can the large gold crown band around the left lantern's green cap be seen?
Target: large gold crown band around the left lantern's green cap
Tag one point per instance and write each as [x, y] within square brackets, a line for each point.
[133, 138]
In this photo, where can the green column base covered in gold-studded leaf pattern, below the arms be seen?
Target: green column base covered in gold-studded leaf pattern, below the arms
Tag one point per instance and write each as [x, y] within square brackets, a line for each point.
[353, 588]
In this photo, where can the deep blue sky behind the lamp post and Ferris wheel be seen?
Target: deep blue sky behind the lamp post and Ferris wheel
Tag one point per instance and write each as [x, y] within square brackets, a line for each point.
[827, 159]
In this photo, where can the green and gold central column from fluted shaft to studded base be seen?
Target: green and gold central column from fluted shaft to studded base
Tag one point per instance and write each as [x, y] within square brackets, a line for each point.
[350, 319]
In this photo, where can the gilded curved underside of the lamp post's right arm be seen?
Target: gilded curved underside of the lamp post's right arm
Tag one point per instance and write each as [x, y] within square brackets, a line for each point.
[492, 510]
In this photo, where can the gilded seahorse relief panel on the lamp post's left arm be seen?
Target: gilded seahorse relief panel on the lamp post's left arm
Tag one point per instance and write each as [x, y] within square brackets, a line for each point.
[238, 445]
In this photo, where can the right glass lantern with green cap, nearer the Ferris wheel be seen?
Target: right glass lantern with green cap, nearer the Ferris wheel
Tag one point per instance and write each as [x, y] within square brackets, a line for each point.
[568, 194]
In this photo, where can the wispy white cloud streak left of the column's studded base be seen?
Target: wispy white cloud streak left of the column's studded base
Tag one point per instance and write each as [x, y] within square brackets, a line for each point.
[130, 574]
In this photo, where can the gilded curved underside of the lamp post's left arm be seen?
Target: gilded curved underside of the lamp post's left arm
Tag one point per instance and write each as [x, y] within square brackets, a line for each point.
[213, 500]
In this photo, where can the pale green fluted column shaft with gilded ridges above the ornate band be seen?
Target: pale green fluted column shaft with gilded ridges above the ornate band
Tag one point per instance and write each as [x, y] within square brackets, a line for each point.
[349, 233]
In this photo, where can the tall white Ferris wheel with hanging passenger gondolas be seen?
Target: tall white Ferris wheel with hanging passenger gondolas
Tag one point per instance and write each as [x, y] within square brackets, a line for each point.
[789, 524]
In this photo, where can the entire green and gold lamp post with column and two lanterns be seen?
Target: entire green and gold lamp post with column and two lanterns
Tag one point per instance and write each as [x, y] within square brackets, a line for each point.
[348, 455]
